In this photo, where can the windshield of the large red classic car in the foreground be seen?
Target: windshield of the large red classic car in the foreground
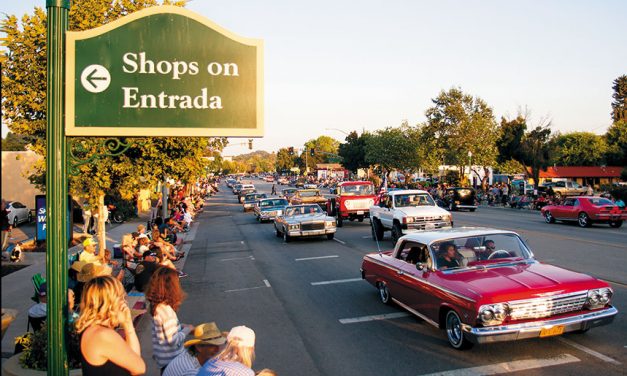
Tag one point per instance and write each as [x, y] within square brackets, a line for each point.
[469, 251]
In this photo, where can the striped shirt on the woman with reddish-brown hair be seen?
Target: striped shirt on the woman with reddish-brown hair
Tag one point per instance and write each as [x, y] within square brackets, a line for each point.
[167, 335]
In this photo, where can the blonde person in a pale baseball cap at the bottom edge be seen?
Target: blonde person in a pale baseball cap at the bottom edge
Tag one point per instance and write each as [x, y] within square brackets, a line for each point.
[236, 358]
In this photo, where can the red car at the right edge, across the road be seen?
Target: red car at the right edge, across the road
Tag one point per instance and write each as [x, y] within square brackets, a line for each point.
[586, 210]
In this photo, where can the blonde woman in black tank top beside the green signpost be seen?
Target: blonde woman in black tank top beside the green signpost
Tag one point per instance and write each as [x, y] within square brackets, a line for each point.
[103, 350]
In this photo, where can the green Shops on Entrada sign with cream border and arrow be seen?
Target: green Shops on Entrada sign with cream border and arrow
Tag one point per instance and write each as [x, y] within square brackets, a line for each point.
[163, 71]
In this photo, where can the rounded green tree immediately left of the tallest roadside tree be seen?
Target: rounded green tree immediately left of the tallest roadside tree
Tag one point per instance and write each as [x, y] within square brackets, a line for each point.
[395, 149]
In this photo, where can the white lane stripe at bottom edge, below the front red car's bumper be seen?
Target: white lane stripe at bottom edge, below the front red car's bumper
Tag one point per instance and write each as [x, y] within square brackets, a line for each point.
[507, 367]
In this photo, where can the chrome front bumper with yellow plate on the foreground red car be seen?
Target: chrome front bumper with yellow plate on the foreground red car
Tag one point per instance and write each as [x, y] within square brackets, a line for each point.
[533, 329]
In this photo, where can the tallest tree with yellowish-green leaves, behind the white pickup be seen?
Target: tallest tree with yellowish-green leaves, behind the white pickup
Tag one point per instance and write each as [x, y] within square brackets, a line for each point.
[460, 125]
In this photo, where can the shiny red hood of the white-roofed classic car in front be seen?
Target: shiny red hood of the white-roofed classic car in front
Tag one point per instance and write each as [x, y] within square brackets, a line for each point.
[517, 281]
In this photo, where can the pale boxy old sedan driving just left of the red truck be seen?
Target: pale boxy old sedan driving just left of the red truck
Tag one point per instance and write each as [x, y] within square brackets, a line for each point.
[304, 220]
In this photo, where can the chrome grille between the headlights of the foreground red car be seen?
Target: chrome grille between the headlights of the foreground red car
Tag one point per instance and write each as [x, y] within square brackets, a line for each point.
[548, 306]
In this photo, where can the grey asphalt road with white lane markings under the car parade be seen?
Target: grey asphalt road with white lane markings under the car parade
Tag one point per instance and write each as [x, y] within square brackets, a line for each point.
[313, 316]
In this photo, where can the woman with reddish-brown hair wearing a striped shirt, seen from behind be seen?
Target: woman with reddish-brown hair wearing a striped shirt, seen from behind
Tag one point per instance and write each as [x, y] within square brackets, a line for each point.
[165, 296]
